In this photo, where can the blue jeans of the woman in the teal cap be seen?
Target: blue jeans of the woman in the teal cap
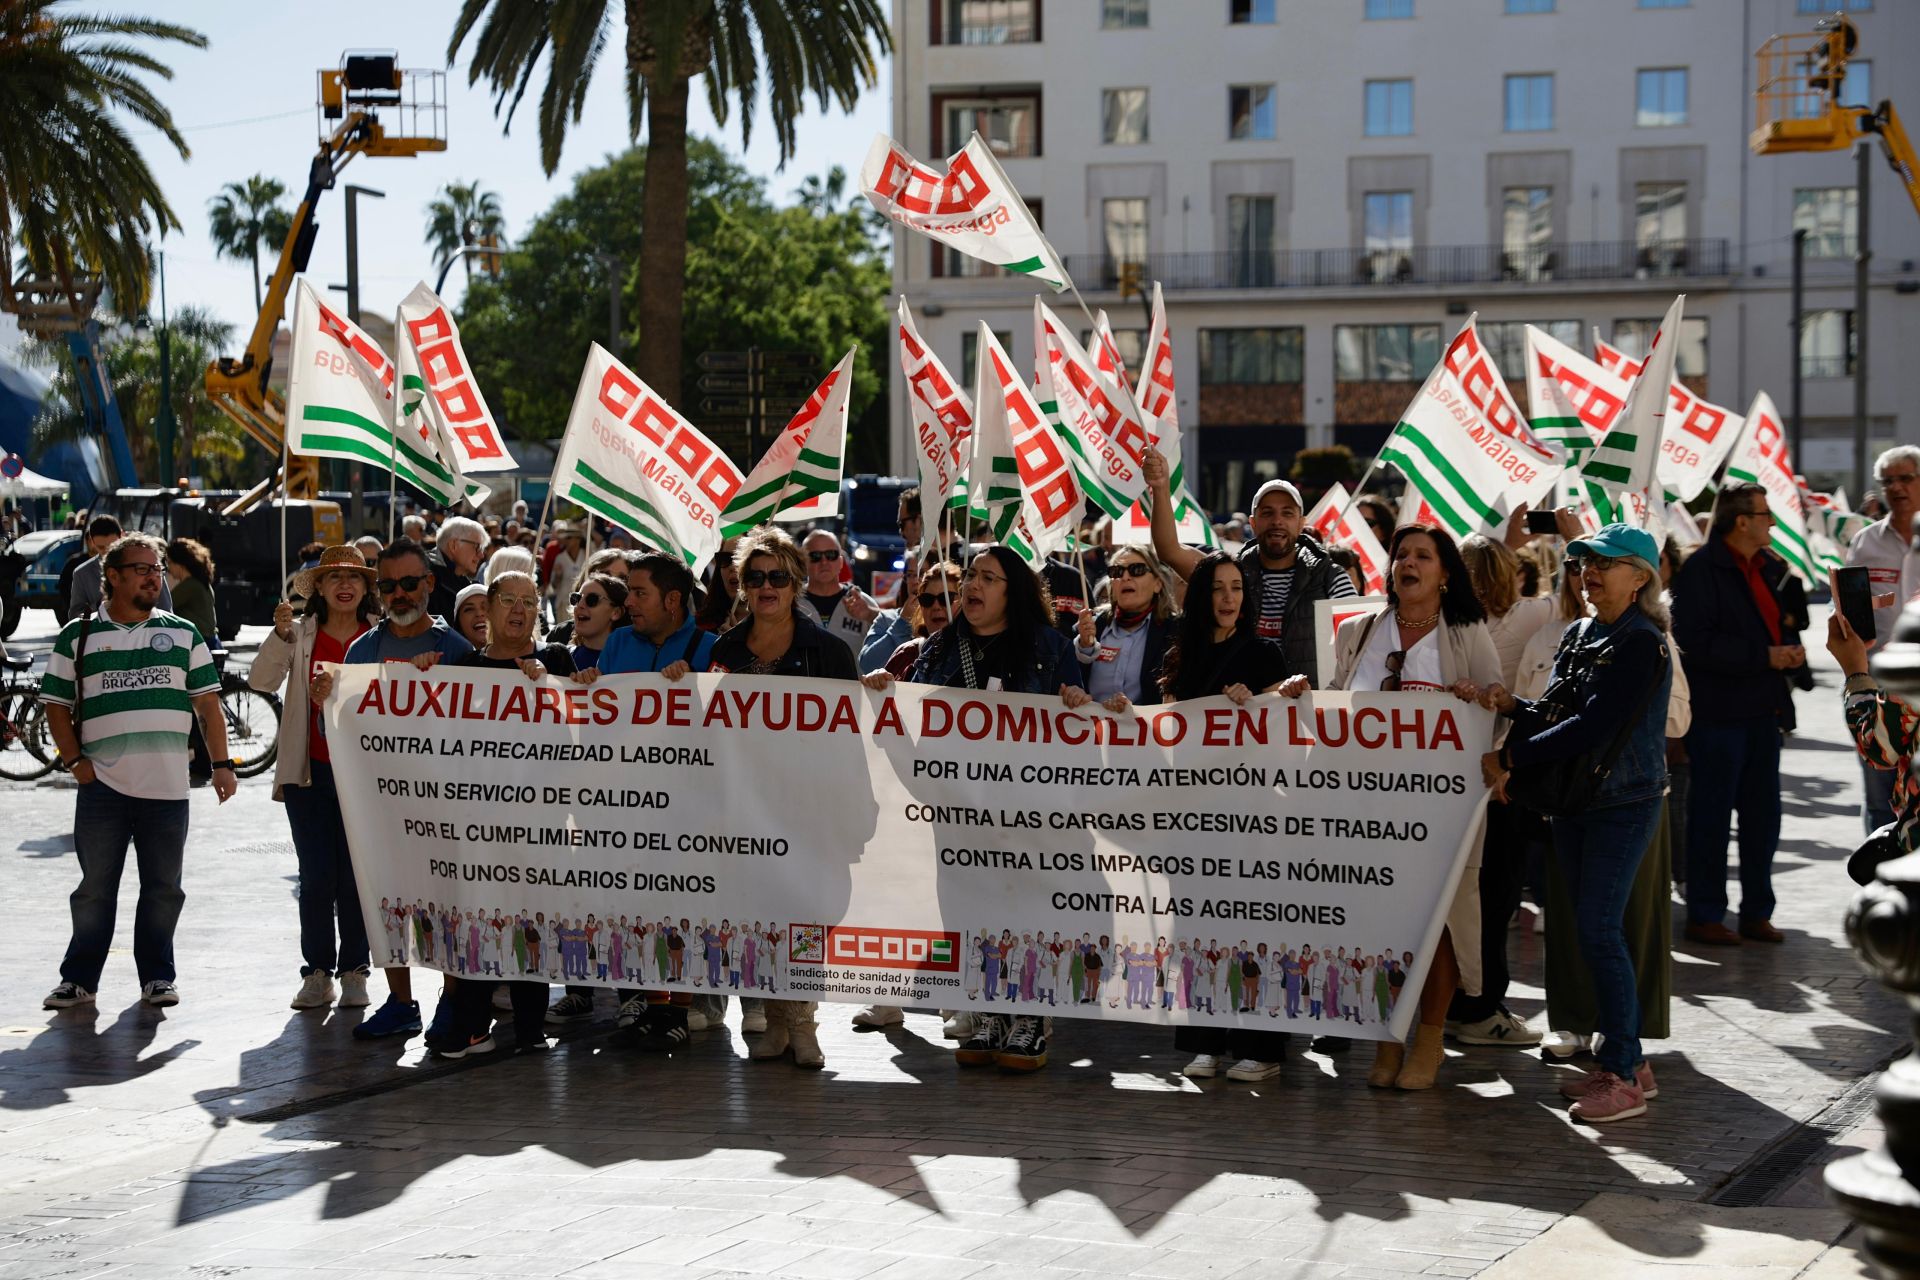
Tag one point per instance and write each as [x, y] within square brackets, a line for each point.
[1598, 857]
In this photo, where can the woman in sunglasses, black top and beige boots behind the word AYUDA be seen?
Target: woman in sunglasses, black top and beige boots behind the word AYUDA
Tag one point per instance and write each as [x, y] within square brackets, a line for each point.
[780, 640]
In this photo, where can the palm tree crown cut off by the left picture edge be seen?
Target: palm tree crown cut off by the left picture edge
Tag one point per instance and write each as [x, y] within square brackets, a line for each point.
[76, 195]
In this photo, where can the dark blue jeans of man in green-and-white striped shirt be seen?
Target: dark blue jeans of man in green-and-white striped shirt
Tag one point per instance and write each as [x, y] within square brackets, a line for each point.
[105, 824]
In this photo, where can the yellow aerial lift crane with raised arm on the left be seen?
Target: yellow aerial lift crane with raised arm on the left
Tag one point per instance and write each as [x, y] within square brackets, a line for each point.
[352, 101]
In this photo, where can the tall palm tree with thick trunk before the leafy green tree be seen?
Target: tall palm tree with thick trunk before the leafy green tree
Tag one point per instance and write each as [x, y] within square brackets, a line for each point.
[805, 47]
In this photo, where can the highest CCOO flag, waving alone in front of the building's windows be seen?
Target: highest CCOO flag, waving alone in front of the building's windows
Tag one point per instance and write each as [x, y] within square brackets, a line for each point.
[971, 208]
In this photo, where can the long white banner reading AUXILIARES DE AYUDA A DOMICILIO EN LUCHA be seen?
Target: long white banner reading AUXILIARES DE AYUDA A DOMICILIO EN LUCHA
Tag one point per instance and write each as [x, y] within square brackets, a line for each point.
[821, 841]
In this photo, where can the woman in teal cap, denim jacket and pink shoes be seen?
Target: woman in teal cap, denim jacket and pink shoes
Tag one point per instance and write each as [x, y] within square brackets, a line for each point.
[1629, 673]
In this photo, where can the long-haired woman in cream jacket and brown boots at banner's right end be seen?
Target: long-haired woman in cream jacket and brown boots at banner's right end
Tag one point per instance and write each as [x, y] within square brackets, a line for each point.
[1431, 636]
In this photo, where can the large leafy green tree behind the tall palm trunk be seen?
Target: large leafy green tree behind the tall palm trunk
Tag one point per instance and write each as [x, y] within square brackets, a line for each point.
[757, 275]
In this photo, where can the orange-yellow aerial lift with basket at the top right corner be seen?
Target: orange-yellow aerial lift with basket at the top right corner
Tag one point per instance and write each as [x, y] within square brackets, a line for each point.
[1798, 103]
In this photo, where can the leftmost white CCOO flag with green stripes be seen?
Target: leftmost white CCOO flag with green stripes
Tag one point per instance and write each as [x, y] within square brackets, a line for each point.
[341, 404]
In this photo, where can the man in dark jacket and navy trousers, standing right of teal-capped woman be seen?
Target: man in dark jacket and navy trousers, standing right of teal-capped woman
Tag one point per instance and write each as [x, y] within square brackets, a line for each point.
[1739, 632]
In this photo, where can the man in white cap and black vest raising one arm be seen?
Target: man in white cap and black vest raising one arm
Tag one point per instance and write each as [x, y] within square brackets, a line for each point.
[1284, 573]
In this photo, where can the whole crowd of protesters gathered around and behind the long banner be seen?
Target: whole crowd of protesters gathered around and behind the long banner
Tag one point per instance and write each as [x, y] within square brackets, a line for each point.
[1677, 671]
